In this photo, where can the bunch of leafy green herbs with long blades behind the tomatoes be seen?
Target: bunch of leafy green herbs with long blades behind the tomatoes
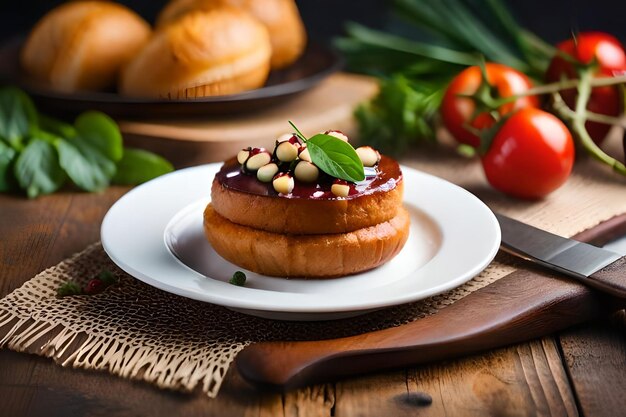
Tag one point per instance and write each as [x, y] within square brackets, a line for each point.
[414, 73]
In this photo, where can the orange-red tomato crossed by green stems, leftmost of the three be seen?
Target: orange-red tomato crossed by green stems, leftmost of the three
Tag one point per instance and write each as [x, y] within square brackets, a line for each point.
[458, 111]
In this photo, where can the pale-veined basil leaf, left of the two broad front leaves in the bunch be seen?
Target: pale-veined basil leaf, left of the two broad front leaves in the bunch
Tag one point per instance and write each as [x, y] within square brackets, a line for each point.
[37, 169]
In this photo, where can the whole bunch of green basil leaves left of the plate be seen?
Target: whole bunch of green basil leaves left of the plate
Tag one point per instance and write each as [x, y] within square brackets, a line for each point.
[38, 154]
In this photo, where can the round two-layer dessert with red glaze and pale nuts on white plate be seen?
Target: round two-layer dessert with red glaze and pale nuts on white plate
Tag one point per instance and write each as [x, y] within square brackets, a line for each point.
[277, 213]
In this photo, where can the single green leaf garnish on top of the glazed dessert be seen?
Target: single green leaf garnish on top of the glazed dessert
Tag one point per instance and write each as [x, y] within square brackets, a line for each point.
[335, 157]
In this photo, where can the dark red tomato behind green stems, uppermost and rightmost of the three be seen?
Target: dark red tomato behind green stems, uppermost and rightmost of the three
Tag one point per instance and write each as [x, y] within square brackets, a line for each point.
[611, 60]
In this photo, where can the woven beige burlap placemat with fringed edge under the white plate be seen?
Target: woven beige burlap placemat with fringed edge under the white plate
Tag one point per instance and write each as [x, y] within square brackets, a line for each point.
[135, 331]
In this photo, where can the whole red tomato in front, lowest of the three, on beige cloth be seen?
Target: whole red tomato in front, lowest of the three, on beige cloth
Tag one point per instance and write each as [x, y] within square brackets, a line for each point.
[531, 155]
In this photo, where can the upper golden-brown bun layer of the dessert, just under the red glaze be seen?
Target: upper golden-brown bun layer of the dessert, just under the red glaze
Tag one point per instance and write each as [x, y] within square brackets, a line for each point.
[306, 216]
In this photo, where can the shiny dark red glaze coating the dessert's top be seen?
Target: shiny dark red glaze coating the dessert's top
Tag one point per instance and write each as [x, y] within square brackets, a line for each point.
[382, 178]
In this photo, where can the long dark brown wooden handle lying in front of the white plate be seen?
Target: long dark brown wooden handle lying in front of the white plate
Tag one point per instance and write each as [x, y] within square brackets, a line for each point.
[518, 307]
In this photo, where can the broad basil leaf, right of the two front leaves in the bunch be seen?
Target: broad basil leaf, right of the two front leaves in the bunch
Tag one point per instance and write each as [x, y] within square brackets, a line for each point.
[85, 165]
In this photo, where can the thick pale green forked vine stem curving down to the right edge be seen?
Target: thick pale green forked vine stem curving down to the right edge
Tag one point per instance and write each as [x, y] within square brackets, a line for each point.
[578, 119]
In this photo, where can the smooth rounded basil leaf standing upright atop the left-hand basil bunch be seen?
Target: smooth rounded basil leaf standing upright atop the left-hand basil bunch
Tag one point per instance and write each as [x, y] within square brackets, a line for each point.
[102, 133]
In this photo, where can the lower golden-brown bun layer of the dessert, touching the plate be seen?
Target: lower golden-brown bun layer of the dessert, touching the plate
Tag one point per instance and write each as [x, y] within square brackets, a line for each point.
[307, 256]
